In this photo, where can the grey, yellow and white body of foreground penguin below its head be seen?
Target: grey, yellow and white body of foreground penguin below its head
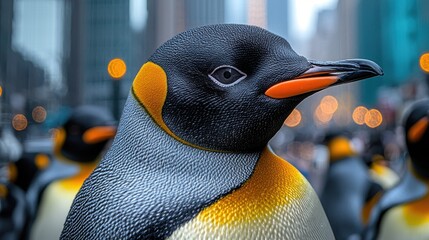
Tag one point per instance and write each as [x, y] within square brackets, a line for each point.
[181, 185]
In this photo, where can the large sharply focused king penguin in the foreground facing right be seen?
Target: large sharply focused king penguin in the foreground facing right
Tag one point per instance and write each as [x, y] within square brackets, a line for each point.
[190, 158]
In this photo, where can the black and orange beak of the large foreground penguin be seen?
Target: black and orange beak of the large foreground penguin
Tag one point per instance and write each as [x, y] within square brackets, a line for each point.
[325, 74]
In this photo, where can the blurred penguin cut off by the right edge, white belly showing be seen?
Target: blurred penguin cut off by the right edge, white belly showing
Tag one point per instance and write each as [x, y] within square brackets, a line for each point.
[403, 211]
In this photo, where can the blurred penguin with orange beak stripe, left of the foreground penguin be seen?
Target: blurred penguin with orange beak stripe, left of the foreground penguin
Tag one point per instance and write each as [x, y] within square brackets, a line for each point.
[78, 145]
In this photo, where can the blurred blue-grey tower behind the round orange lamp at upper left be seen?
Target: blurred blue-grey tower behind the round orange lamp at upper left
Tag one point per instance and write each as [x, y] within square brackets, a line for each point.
[94, 33]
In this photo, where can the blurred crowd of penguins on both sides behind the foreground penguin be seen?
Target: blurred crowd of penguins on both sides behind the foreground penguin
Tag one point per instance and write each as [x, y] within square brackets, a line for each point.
[373, 184]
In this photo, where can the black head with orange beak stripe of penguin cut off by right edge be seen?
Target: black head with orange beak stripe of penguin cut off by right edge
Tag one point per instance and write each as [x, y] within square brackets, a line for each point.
[416, 127]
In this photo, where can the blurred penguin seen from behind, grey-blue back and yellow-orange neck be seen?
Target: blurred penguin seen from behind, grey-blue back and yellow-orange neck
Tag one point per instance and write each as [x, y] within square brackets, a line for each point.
[346, 187]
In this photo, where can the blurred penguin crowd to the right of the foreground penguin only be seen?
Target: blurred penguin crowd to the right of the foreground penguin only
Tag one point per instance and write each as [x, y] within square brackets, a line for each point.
[372, 183]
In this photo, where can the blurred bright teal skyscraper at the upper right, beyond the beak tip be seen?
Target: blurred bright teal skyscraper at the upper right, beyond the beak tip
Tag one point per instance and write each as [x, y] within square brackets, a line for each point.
[393, 34]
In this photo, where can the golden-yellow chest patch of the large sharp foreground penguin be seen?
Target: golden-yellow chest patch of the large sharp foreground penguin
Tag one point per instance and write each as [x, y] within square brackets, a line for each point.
[274, 183]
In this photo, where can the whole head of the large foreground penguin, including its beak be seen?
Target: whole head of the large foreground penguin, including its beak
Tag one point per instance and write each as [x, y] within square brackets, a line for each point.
[230, 87]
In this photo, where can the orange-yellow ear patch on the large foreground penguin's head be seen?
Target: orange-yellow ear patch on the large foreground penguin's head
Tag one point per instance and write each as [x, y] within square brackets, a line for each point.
[150, 90]
